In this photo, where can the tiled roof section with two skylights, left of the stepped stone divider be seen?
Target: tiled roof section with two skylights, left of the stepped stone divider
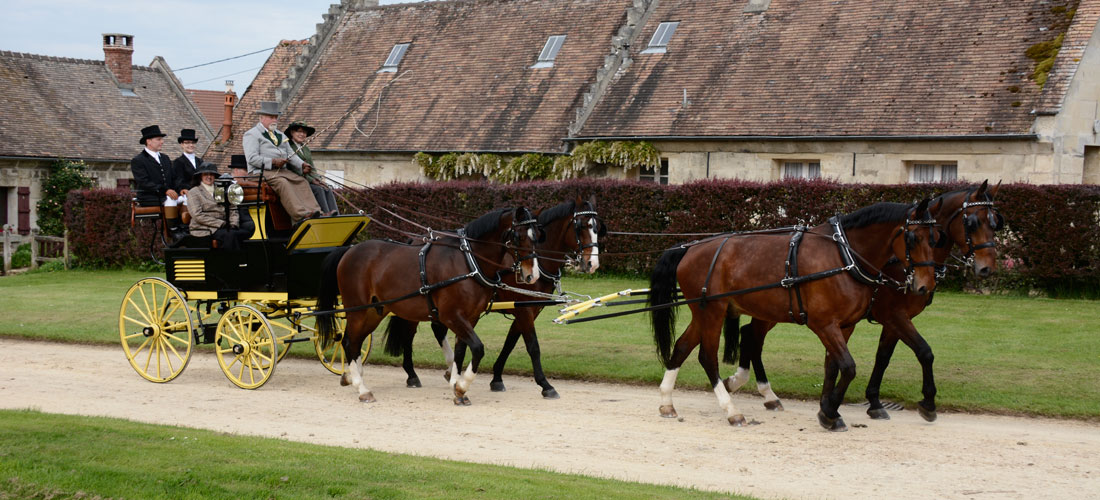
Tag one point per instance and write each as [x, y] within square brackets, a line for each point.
[466, 82]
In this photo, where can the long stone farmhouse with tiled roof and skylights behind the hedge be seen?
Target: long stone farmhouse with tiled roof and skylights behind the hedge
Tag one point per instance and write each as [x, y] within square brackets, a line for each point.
[852, 91]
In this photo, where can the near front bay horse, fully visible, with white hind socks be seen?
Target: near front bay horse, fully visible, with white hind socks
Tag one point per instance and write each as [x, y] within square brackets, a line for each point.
[824, 281]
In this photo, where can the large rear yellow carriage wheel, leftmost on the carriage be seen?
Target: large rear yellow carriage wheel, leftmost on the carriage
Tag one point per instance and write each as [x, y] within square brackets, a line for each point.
[156, 330]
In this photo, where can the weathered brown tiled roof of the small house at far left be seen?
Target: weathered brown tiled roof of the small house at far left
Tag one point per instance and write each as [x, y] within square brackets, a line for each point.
[58, 107]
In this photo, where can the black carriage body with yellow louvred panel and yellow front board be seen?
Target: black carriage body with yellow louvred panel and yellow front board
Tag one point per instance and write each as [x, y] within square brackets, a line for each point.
[278, 265]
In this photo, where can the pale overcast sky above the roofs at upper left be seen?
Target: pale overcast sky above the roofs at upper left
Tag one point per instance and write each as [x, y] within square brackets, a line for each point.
[185, 34]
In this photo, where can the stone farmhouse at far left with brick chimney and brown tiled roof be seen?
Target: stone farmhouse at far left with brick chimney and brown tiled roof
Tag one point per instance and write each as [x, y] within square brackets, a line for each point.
[54, 108]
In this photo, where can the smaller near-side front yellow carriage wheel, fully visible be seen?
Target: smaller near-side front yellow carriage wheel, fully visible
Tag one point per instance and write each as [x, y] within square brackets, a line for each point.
[246, 347]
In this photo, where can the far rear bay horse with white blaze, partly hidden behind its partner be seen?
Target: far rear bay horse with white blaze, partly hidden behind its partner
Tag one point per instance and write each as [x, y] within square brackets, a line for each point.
[573, 231]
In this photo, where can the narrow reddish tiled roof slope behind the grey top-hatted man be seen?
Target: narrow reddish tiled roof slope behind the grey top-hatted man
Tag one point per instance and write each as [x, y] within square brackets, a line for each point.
[262, 90]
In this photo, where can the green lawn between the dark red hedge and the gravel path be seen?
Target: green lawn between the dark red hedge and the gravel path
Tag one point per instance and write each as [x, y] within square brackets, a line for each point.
[994, 353]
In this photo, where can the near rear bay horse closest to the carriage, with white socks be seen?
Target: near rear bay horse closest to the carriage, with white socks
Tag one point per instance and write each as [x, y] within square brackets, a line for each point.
[378, 277]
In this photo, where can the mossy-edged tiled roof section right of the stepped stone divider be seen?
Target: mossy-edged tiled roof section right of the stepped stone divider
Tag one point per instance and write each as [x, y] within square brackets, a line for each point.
[856, 68]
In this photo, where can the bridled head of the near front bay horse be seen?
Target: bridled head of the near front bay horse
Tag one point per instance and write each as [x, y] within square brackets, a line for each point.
[915, 249]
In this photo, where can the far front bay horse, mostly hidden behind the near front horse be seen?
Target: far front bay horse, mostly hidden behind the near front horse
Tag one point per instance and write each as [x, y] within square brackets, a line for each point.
[969, 220]
